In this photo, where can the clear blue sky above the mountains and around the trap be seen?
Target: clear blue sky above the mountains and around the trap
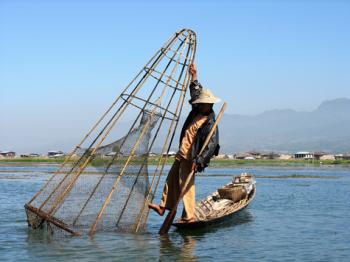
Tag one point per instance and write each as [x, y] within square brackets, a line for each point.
[63, 62]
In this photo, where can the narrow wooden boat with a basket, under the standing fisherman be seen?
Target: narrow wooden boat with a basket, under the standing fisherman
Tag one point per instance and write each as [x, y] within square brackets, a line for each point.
[223, 203]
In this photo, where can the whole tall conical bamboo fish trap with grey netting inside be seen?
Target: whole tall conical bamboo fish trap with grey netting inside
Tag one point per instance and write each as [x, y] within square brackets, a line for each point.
[104, 183]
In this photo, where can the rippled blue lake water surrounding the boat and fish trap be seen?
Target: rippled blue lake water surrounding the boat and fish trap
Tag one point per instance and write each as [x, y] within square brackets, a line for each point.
[299, 214]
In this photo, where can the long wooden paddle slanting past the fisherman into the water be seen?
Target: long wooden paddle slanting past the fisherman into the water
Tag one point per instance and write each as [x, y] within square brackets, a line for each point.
[171, 215]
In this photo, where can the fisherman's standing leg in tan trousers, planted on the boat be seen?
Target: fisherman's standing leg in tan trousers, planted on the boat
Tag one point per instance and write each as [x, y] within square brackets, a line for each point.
[189, 198]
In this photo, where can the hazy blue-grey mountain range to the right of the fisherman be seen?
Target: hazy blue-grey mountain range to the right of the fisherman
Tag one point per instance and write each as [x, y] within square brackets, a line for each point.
[327, 128]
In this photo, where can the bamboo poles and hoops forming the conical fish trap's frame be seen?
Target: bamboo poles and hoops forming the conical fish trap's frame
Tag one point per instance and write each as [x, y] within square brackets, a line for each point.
[79, 165]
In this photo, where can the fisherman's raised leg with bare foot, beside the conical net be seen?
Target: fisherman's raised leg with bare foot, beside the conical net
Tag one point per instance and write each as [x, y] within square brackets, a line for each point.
[171, 190]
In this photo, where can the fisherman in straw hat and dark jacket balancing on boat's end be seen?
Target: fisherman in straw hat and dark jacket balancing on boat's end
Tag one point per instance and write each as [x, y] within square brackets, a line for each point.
[193, 134]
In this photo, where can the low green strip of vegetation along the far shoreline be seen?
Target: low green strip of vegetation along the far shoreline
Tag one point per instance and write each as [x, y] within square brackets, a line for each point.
[214, 163]
